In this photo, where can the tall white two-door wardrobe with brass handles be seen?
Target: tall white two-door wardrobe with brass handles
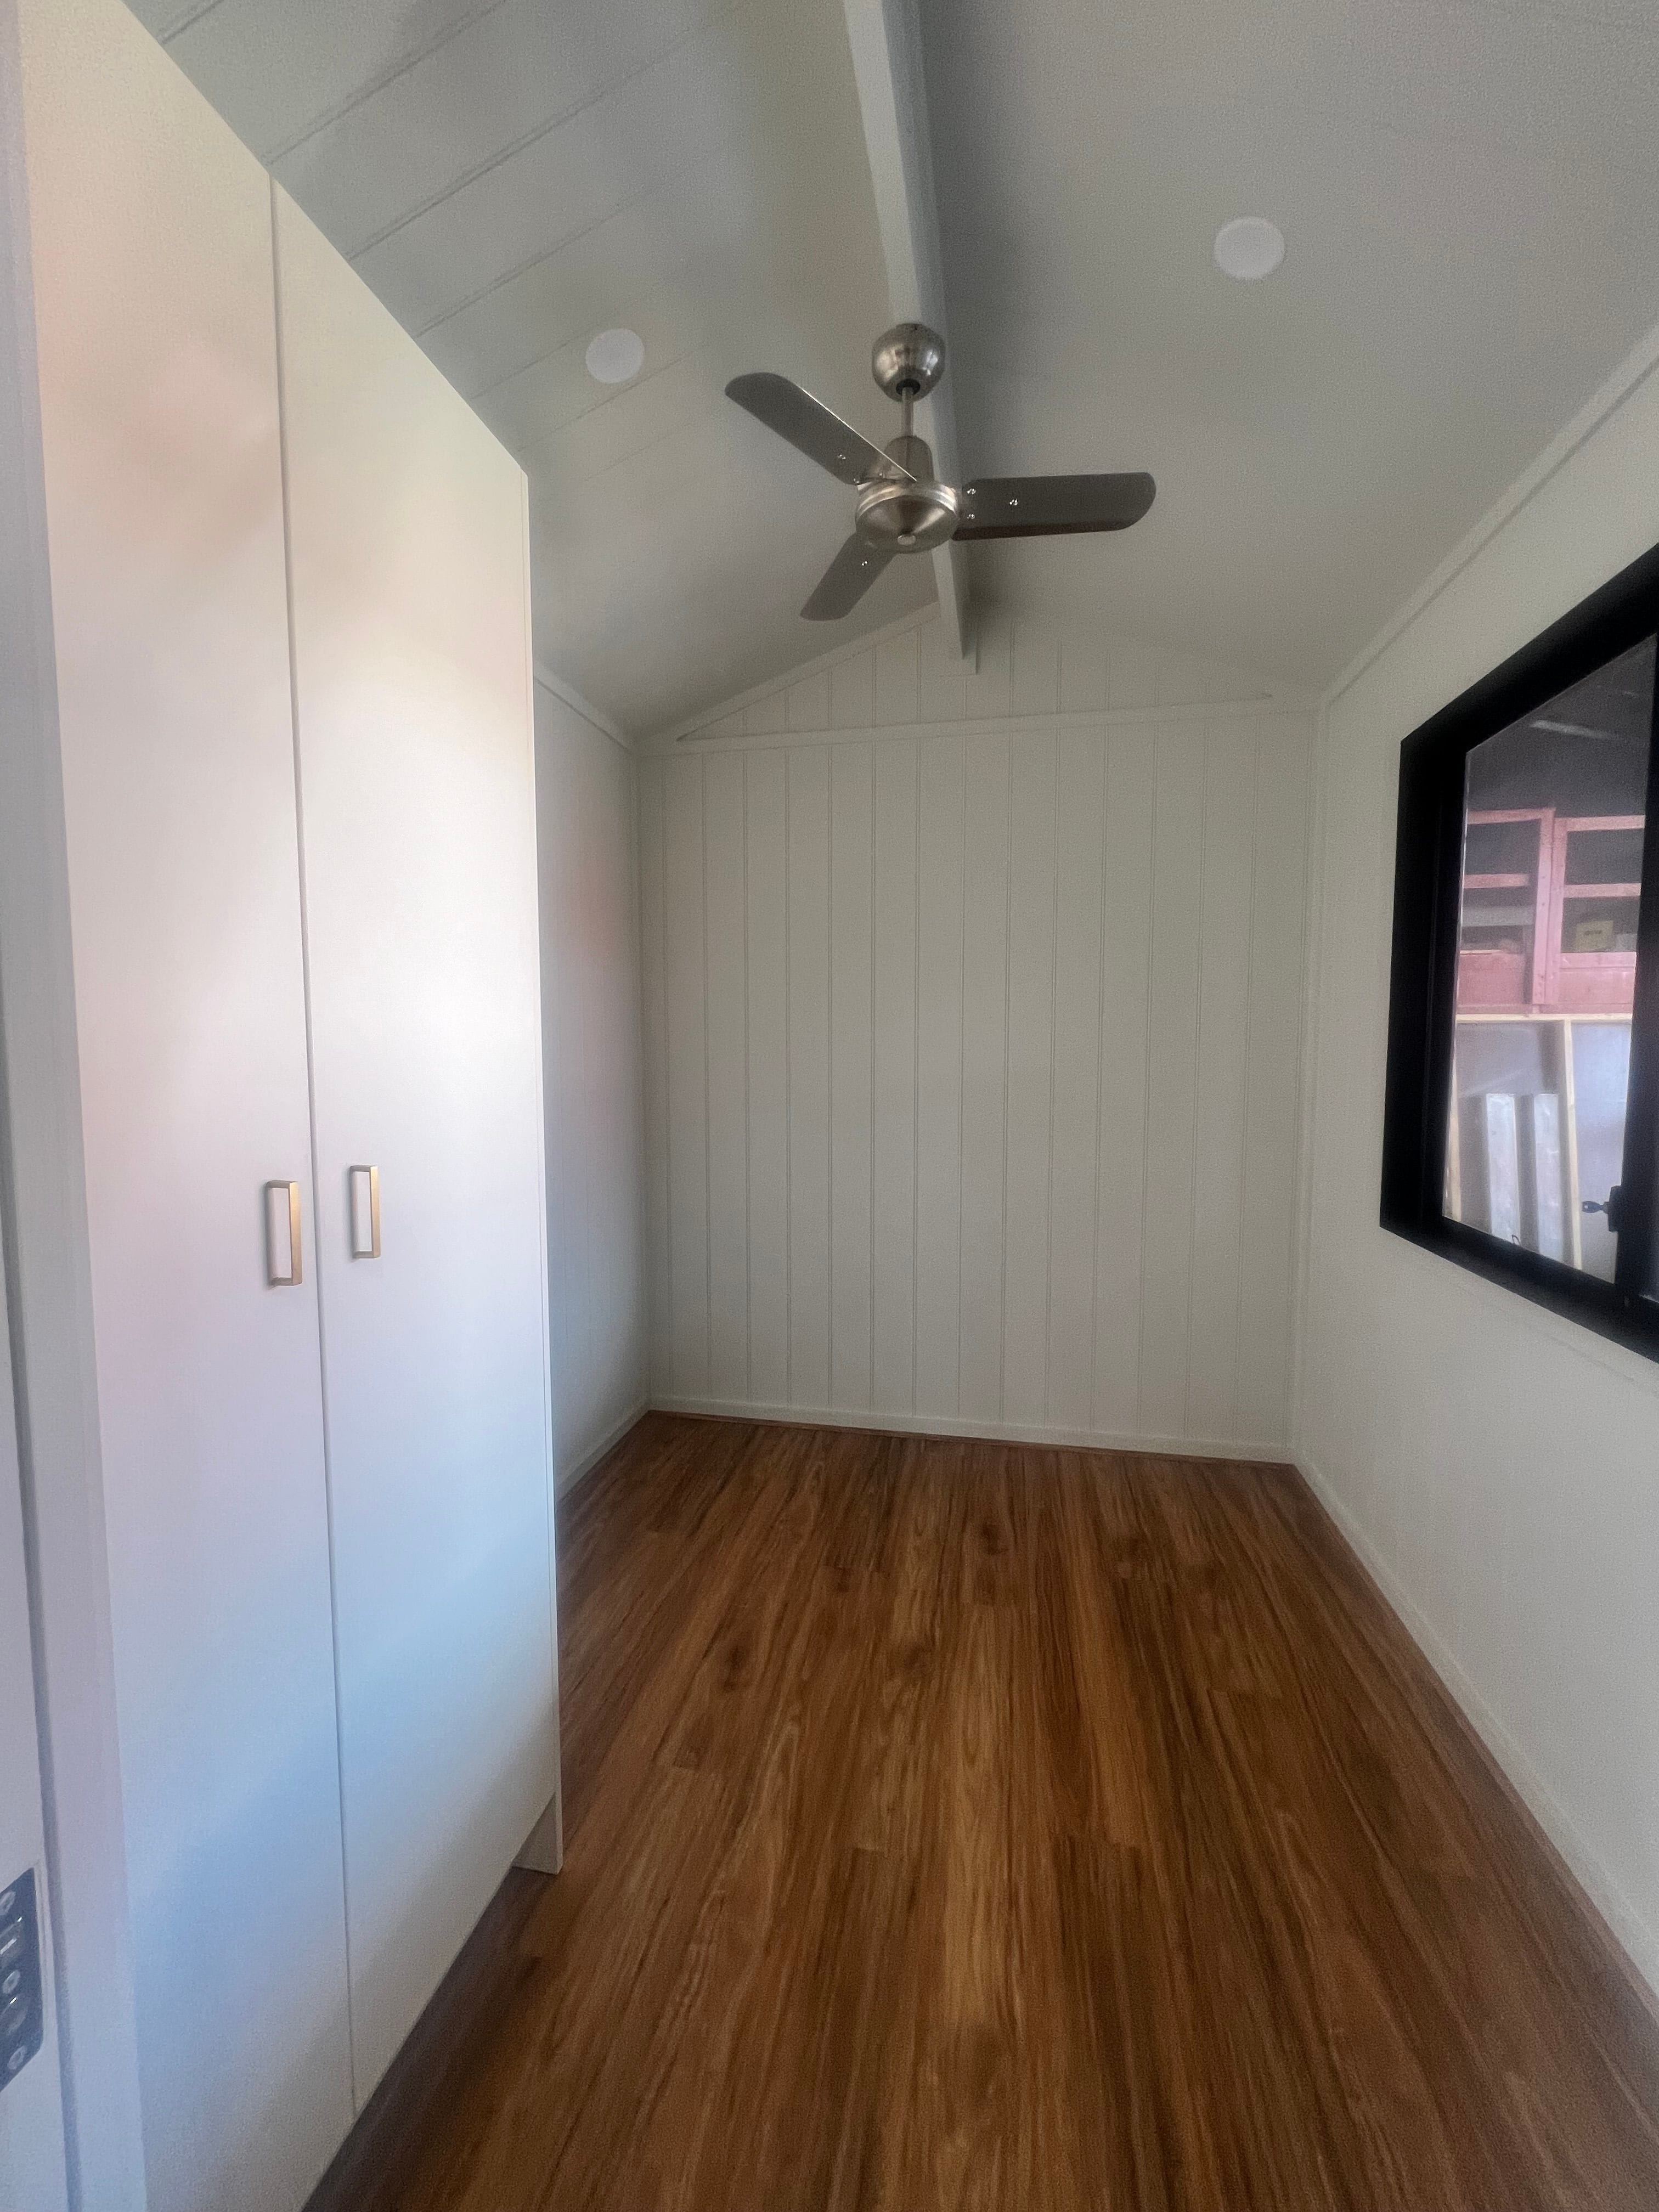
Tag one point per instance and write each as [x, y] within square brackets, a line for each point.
[289, 603]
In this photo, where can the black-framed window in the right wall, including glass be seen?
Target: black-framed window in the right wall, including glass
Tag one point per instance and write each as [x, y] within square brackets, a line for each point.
[1523, 1087]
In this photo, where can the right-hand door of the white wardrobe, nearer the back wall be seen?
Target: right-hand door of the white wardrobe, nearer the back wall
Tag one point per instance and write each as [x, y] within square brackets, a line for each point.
[410, 607]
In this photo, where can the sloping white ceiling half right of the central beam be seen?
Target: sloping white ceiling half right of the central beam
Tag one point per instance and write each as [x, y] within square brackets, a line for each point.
[1472, 200]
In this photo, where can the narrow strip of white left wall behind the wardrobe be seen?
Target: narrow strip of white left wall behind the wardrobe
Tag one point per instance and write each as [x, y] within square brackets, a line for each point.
[585, 797]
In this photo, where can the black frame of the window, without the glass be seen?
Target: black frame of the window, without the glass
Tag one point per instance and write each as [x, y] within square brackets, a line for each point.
[1423, 992]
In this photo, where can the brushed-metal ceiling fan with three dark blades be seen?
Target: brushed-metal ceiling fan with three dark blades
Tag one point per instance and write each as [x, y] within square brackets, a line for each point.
[901, 505]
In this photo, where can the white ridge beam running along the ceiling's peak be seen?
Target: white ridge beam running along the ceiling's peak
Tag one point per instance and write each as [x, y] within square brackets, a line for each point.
[893, 96]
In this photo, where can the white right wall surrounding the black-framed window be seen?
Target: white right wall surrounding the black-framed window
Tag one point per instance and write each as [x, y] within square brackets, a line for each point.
[1496, 1465]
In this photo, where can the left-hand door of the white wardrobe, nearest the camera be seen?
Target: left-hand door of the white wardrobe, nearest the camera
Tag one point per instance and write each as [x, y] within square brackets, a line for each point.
[163, 466]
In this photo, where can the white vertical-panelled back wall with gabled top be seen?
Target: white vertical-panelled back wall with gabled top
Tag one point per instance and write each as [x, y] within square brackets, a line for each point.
[972, 1043]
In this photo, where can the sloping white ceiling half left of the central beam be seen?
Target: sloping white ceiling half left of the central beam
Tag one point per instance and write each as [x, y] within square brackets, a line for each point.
[514, 176]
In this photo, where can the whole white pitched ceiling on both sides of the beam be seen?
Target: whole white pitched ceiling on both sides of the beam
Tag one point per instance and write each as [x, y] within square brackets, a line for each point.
[1468, 189]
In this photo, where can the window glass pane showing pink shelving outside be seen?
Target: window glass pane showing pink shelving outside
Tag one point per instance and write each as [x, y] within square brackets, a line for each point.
[1547, 959]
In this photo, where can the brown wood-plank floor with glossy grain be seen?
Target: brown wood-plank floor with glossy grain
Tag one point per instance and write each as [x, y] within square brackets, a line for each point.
[985, 1826]
